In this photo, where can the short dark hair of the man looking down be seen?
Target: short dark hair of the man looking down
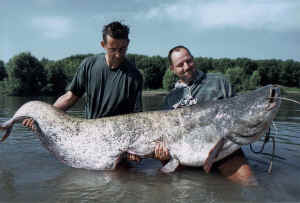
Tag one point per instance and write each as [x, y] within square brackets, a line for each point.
[116, 30]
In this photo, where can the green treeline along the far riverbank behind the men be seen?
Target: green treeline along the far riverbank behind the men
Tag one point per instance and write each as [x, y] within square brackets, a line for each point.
[25, 75]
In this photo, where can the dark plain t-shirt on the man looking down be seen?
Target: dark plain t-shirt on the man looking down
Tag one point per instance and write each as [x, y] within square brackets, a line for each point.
[108, 91]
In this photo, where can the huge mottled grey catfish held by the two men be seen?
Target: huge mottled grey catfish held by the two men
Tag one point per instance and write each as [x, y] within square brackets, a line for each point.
[190, 133]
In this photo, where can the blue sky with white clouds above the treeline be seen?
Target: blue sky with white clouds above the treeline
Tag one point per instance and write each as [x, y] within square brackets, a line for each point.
[56, 29]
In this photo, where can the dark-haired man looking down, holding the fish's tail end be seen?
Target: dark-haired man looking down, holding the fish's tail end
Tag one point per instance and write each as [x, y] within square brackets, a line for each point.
[112, 84]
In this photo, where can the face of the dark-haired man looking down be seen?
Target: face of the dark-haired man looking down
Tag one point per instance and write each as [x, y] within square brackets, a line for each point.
[115, 50]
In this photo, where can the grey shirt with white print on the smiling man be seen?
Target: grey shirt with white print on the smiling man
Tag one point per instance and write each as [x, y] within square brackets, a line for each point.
[206, 87]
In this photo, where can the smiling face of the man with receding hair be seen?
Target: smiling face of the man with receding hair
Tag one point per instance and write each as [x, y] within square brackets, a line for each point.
[183, 65]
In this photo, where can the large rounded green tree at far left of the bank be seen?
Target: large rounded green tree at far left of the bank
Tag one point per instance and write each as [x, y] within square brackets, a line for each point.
[26, 75]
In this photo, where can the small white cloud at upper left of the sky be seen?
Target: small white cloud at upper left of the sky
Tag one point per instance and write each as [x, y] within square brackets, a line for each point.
[53, 27]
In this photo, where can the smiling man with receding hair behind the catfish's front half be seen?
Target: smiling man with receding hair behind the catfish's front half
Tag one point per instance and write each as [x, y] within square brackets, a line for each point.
[194, 86]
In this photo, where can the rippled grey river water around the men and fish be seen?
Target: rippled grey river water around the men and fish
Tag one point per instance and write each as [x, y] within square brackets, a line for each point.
[29, 173]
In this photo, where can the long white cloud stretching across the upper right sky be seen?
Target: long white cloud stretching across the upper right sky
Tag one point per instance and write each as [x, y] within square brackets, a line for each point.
[276, 15]
